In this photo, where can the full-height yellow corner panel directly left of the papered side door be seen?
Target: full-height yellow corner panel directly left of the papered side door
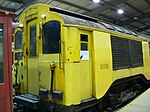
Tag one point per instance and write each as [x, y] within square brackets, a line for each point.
[72, 70]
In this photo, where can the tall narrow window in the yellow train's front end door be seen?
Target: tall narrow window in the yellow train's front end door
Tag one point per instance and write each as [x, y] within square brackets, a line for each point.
[33, 41]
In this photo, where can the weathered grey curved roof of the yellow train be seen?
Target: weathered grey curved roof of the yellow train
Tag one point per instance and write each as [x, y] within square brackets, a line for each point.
[103, 26]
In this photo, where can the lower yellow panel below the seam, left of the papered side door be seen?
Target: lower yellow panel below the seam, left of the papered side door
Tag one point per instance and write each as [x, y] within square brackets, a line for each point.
[72, 84]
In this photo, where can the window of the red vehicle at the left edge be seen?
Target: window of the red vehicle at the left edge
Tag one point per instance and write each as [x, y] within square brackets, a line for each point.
[1, 55]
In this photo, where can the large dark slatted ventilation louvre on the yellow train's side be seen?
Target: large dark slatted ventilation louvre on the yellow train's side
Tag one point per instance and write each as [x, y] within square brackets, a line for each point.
[126, 53]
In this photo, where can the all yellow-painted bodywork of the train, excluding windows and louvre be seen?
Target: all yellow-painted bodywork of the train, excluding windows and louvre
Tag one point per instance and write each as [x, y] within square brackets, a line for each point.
[77, 79]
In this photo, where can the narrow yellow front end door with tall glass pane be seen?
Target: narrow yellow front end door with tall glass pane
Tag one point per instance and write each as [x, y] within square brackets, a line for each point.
[32, 57]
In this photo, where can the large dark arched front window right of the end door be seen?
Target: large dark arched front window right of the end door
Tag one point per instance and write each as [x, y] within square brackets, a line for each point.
[51, 37]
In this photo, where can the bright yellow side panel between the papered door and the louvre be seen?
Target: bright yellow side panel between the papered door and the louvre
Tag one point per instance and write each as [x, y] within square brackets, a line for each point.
[102, 77]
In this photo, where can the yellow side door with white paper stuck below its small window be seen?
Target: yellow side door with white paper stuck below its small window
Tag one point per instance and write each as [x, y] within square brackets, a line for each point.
[85, 64]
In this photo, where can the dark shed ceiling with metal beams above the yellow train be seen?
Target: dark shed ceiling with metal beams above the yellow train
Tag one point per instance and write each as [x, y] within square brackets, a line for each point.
[136, 14]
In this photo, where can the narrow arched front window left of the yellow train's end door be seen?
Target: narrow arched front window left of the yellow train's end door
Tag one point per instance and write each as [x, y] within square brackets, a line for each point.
[18, 40]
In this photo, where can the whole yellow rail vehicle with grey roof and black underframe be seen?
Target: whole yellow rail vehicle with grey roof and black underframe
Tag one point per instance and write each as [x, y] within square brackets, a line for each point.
[69, 62]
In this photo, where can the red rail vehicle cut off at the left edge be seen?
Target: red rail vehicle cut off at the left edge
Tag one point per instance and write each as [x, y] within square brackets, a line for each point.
[6, 100]
